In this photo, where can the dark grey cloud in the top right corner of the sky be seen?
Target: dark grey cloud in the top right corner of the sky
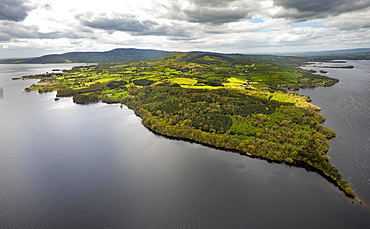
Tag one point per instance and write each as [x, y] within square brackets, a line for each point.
[320, 8]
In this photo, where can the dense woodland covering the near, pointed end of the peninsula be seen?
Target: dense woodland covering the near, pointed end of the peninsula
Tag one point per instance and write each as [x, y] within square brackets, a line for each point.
[253, 123]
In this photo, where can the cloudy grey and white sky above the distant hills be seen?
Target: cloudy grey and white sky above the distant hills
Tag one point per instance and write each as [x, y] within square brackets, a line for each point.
[30, 28]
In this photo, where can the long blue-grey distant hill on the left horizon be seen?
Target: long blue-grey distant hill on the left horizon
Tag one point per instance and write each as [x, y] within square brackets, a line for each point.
[115, 55]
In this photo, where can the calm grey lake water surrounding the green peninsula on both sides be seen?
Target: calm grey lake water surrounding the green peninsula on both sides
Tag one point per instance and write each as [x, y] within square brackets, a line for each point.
[64, 165]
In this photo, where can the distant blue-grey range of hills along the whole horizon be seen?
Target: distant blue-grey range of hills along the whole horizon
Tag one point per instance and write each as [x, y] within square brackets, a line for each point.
[133, 54]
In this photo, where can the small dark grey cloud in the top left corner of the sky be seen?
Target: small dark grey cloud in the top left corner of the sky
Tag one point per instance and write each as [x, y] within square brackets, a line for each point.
[14, 10]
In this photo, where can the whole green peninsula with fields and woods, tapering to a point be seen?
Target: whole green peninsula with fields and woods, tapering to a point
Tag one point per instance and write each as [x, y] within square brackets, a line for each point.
[234, 102]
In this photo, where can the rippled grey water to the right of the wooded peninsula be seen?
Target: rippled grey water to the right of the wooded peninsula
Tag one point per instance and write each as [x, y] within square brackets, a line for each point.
[346, 106]
